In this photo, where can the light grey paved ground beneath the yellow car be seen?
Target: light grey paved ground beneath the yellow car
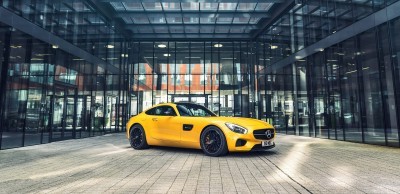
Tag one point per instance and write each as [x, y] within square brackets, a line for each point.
[107, 164]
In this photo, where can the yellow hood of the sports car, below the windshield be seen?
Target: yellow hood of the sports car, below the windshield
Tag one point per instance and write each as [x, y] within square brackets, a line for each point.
[244, 122]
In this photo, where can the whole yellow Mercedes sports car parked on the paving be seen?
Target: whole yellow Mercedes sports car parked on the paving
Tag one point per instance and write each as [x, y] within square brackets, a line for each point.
[190, 125]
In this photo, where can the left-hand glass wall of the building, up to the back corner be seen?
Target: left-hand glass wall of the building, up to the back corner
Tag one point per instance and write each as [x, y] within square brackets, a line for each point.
[61, 78]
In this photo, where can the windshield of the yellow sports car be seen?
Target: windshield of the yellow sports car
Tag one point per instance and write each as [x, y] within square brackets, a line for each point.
[194, 110]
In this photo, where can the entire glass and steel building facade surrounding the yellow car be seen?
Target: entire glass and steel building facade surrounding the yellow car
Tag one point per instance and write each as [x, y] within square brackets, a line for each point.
[326, 69]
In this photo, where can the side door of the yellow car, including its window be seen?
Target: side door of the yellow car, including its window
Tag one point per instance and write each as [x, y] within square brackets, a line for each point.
[167, 129]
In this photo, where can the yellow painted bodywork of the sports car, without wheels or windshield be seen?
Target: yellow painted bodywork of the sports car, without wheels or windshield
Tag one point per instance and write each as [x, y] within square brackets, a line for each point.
[168, 131]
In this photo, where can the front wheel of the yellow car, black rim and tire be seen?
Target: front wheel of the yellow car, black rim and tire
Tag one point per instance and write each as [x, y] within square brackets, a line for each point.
[213, 142]
